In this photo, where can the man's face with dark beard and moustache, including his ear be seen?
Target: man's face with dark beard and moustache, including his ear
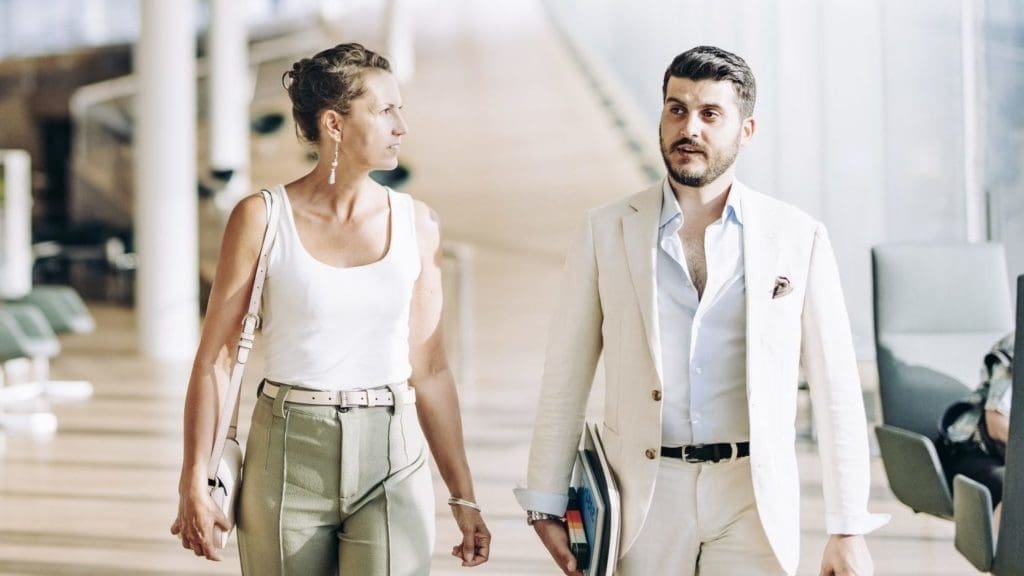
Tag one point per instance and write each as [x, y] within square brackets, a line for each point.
[702, 131]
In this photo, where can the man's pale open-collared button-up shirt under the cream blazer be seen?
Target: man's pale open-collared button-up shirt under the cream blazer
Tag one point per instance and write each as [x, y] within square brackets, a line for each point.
[704, 340]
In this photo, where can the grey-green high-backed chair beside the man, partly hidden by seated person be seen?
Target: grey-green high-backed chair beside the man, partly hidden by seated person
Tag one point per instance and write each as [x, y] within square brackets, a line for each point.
[938, 309]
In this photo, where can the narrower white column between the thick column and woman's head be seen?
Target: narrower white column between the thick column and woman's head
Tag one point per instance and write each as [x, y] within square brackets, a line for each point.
[230, 93]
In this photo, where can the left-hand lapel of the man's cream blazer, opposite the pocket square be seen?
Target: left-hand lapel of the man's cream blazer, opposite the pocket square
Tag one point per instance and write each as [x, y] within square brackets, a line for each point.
[641, 237]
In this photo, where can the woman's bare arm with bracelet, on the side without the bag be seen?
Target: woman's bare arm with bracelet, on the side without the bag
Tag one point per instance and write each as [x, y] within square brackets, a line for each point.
[437, 399]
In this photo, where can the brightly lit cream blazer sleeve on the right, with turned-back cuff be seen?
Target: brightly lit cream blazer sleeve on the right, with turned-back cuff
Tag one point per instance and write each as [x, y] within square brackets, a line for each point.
[831, 367]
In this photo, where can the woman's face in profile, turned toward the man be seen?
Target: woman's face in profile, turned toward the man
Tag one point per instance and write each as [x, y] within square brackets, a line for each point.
[372, 132]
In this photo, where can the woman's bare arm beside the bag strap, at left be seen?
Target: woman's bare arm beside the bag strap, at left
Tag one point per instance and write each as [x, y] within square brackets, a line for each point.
[222, 328]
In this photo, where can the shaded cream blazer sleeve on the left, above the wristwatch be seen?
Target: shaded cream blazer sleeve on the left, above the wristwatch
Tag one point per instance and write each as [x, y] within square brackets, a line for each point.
[574, 348]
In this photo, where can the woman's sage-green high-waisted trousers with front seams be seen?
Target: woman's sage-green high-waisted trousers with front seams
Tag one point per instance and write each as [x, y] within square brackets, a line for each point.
[328, 491]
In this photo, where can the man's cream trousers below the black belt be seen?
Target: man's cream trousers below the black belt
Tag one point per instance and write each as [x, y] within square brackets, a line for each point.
[704, 521]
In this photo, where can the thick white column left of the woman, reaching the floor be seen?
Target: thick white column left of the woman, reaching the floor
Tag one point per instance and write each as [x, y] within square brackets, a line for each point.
[166, 231]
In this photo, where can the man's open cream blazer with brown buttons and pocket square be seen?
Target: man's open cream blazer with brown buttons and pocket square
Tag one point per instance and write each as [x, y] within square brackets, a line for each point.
[796, 317]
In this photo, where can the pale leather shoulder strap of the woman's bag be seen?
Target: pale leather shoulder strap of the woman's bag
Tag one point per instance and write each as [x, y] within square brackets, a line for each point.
[229, 419]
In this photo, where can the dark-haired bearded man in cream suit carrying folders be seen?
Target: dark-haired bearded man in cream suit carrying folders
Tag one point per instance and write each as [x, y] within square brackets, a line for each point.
[706, 299]
